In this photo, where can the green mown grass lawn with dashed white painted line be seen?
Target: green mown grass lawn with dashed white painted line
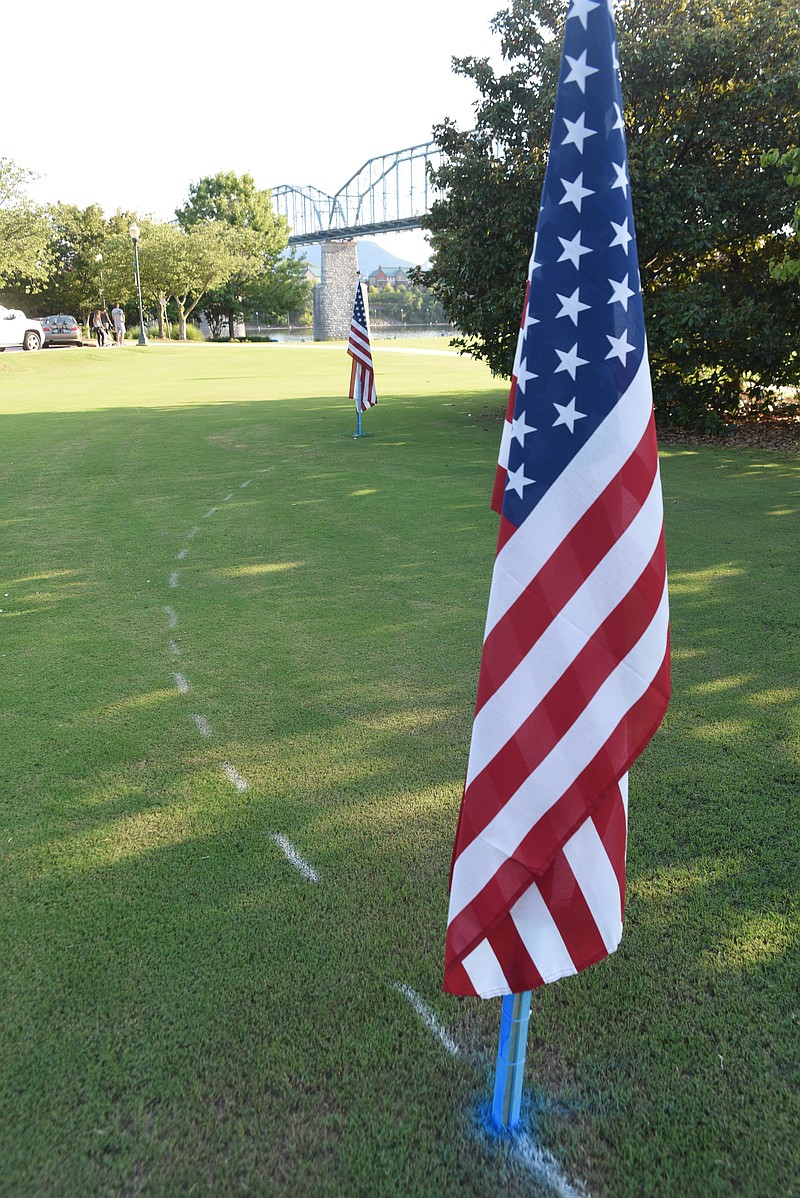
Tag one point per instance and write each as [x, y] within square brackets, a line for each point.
[184, 1012]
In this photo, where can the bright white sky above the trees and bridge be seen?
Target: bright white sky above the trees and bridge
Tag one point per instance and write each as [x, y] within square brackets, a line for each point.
[126, 106]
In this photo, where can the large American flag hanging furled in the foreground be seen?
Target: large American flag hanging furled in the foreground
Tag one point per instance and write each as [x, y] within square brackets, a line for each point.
[575, 667]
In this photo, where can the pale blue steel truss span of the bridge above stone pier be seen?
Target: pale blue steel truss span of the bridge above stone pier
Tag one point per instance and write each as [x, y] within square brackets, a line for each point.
[387, 193]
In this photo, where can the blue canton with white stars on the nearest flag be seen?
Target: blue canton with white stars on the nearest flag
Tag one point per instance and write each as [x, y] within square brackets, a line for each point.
[584, 330]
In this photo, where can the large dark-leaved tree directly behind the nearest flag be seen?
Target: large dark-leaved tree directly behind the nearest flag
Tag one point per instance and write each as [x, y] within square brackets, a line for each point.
[702, 81]
